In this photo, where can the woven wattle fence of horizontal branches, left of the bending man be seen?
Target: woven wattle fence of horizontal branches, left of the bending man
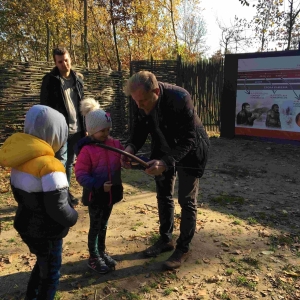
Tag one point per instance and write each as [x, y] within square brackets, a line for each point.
[20, 84]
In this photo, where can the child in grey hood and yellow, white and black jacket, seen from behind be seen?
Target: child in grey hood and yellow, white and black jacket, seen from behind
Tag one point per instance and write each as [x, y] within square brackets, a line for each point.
[40, 187]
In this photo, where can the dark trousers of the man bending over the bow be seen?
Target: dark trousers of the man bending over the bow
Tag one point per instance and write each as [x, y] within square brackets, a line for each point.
[187, 197]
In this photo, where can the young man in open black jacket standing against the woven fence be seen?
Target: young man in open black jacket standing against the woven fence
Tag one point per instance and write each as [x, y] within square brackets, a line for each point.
[62, 89]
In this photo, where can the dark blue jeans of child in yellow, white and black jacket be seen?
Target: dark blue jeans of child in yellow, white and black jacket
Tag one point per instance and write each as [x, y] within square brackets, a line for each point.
[44, 278]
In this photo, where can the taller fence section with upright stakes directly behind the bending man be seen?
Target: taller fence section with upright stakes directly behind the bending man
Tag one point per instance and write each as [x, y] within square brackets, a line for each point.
[203, 80]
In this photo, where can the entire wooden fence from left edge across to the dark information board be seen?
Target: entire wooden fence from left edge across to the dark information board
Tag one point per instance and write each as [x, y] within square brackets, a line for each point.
[20, 89]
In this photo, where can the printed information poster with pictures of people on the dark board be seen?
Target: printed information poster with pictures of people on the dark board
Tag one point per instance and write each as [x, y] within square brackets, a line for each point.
[268, 97]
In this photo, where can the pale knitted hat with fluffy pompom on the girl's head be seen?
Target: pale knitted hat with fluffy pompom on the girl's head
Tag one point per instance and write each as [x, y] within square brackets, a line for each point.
[96, 119]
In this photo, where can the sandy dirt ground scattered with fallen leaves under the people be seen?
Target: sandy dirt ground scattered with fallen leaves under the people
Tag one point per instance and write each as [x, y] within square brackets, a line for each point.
[246, 244]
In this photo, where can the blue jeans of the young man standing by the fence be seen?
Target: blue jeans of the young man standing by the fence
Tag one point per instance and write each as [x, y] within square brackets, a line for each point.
[66, 153]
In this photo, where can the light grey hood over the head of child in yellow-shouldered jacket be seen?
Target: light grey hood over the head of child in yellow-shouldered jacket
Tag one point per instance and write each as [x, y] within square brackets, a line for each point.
[47, 124]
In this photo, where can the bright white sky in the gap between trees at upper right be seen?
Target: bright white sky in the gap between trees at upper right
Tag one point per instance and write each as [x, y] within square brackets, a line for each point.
[224, 10]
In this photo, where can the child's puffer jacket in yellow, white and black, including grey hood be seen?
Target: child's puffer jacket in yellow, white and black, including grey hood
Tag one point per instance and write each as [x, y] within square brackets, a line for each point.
[38, 179]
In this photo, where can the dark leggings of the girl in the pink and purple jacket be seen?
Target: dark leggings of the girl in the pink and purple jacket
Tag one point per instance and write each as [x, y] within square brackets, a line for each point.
[99, 215]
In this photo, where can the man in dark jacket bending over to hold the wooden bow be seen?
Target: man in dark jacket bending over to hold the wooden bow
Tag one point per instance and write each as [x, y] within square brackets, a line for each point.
[179, 143]
